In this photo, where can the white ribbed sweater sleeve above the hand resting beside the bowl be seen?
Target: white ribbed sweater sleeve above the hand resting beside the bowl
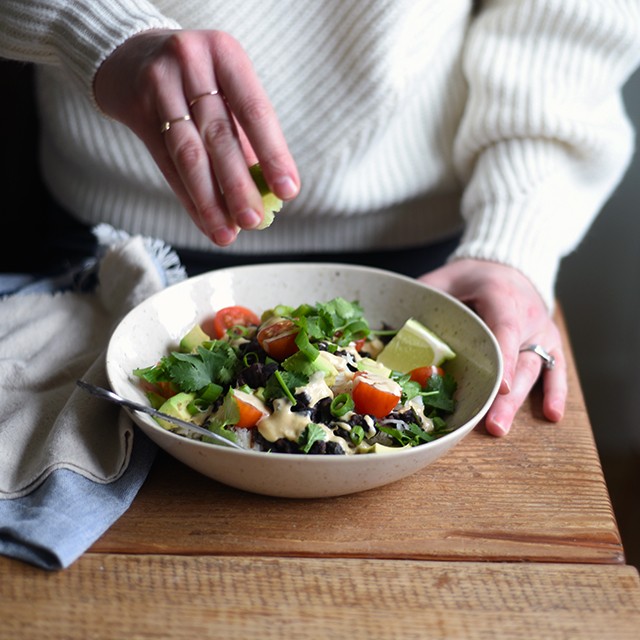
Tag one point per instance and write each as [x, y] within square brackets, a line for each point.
[545, 138]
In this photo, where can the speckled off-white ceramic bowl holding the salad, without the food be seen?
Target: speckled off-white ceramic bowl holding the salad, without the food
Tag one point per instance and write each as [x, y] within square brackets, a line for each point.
[155, 326]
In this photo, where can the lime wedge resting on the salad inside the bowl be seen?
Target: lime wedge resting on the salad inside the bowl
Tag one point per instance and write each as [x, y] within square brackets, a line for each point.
[414, 346]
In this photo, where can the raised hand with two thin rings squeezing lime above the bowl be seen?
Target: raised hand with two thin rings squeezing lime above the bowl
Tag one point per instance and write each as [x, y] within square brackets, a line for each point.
[196, 102]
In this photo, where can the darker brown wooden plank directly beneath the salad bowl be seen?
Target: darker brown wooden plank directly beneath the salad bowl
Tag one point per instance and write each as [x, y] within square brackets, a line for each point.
[536, 495]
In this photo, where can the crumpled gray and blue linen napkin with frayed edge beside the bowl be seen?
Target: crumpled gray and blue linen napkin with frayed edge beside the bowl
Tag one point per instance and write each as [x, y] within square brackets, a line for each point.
[65, 457]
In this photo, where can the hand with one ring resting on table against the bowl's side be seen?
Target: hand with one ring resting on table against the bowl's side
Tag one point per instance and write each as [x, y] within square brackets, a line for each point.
[513, 309]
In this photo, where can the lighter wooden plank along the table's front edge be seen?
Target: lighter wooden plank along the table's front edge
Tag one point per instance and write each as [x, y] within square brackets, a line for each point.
[106, 596]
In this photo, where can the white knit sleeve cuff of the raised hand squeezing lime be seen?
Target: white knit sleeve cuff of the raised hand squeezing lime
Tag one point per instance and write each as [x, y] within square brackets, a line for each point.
[74, 35]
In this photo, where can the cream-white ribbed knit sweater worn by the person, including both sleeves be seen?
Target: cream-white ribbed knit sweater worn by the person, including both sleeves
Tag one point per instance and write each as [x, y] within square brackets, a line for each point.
[404, 117]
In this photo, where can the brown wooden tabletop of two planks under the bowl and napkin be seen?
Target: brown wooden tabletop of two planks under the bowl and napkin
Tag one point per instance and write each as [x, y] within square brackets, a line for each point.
[502, 538]
